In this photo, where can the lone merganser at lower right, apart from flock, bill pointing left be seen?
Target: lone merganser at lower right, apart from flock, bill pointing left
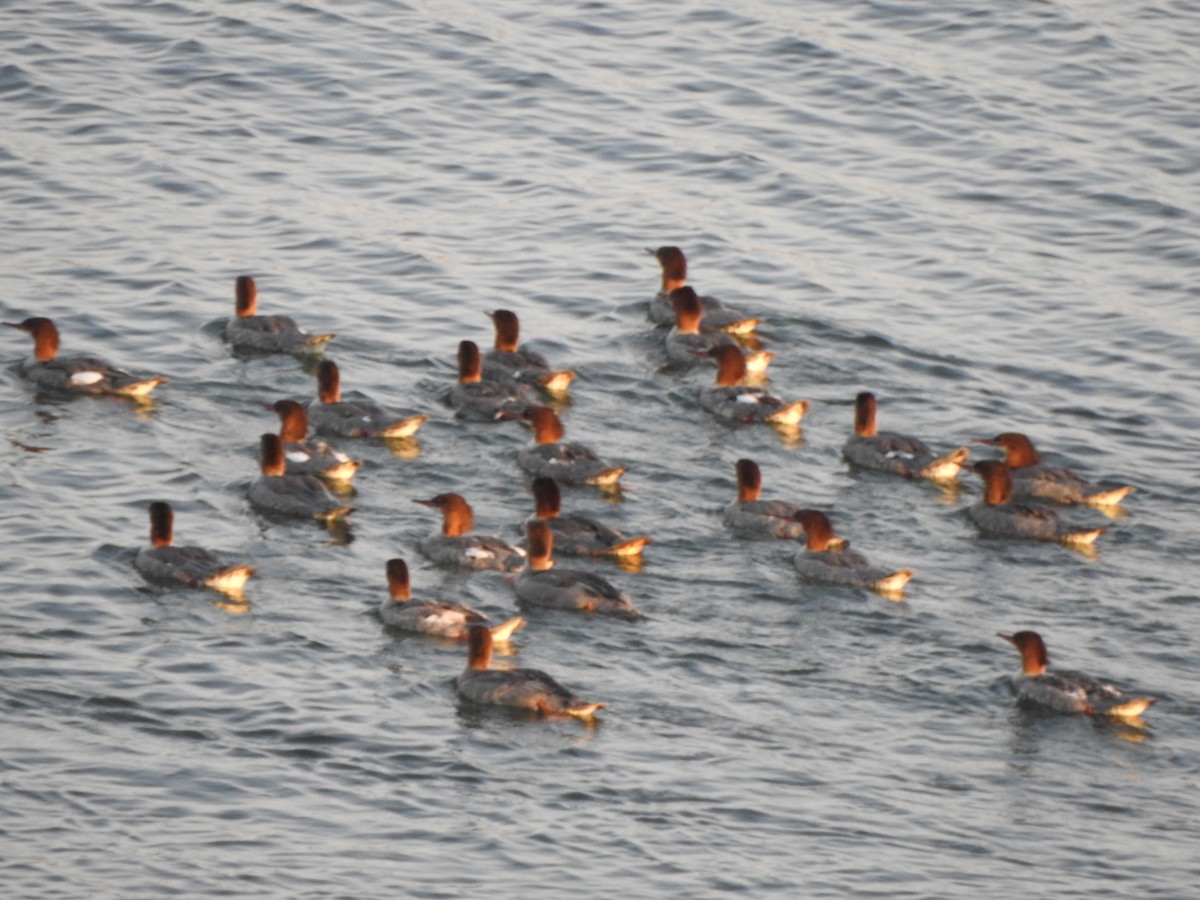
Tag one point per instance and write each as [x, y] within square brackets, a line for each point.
[1067, 692]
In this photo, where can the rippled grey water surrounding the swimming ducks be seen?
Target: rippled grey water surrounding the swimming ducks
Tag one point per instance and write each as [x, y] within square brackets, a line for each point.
[985, 213]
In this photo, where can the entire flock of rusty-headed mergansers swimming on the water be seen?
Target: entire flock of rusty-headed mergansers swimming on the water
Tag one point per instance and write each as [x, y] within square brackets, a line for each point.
[513, 383]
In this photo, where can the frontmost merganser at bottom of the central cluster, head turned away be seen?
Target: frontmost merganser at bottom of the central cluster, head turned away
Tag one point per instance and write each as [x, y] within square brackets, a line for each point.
[521, 688]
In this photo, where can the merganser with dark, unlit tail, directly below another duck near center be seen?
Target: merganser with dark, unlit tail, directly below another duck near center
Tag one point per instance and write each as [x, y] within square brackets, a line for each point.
[541, 586]
